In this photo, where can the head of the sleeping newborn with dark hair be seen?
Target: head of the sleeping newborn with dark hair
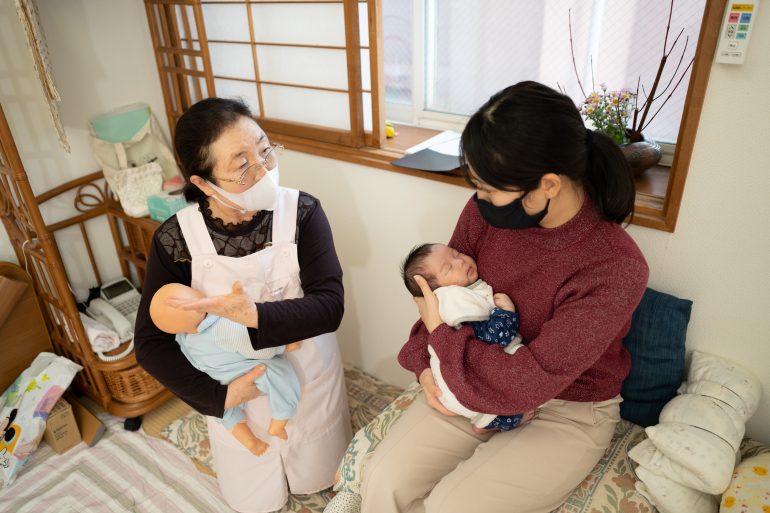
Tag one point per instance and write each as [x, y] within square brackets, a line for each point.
[440, 265]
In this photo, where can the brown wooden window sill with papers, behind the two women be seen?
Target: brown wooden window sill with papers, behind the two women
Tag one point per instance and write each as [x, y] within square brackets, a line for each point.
[651, 187]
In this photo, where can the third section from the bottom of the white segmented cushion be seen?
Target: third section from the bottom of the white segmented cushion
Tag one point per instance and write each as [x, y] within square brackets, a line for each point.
[706, 413]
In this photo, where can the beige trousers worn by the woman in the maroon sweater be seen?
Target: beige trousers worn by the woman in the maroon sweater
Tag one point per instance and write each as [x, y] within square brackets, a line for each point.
[432, 463]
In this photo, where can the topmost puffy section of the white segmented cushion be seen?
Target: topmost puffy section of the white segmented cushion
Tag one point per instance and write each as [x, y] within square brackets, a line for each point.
[708, 367]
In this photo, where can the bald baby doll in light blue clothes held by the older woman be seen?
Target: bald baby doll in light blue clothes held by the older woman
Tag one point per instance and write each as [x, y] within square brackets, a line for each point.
[222, 349]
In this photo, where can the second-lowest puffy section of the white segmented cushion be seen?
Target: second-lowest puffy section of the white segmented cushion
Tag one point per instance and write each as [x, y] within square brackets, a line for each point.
[692, 456]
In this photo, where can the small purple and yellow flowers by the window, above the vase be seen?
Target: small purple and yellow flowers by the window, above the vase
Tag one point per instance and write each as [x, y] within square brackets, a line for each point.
[609, 112]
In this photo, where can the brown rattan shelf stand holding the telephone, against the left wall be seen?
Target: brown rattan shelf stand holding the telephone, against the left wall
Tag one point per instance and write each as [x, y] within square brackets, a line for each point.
[121, 387]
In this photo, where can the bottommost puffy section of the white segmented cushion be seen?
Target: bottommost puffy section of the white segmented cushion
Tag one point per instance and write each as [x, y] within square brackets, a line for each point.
[671, 497]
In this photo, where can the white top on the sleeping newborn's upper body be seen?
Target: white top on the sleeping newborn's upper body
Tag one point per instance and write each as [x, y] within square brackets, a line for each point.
[457, 304]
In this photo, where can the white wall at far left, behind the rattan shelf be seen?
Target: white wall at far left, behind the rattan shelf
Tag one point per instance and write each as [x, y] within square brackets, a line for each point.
[102, 59]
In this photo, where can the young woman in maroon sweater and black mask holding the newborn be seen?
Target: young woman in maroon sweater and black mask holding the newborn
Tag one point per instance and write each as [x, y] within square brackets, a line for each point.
[544, 228]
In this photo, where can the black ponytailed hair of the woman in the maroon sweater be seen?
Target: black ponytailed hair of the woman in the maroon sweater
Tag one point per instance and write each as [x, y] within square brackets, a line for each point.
[527, 130]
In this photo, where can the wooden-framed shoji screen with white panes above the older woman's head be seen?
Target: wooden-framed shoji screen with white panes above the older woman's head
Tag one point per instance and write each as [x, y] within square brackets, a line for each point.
[304, 67]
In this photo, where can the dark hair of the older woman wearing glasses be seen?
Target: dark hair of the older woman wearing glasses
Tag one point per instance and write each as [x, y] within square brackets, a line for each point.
[196, 129]
